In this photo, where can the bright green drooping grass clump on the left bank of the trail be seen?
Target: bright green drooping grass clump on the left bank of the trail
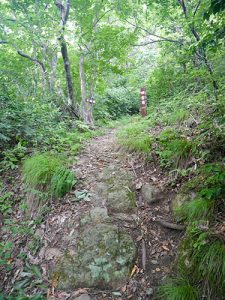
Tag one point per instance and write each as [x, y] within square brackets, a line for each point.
[48, 172]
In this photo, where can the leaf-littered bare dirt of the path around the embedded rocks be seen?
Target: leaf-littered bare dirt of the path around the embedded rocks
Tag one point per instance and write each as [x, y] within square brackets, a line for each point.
[156, 246]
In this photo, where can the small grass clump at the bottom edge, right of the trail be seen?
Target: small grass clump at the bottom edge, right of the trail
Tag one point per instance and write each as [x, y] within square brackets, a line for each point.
[178, 289]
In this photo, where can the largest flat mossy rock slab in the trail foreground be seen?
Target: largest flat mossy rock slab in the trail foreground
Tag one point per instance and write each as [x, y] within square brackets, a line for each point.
[103, 259]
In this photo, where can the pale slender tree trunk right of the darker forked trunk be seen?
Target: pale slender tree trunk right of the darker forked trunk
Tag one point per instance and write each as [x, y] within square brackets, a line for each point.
[86, 106]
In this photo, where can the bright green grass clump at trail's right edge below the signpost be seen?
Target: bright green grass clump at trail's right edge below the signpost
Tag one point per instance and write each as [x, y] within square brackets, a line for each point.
[136, 138]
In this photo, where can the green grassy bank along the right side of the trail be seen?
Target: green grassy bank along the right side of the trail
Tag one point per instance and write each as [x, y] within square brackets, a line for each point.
[186, 137]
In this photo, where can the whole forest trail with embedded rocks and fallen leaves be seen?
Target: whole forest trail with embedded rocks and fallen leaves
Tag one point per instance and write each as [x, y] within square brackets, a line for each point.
[114, 249]
